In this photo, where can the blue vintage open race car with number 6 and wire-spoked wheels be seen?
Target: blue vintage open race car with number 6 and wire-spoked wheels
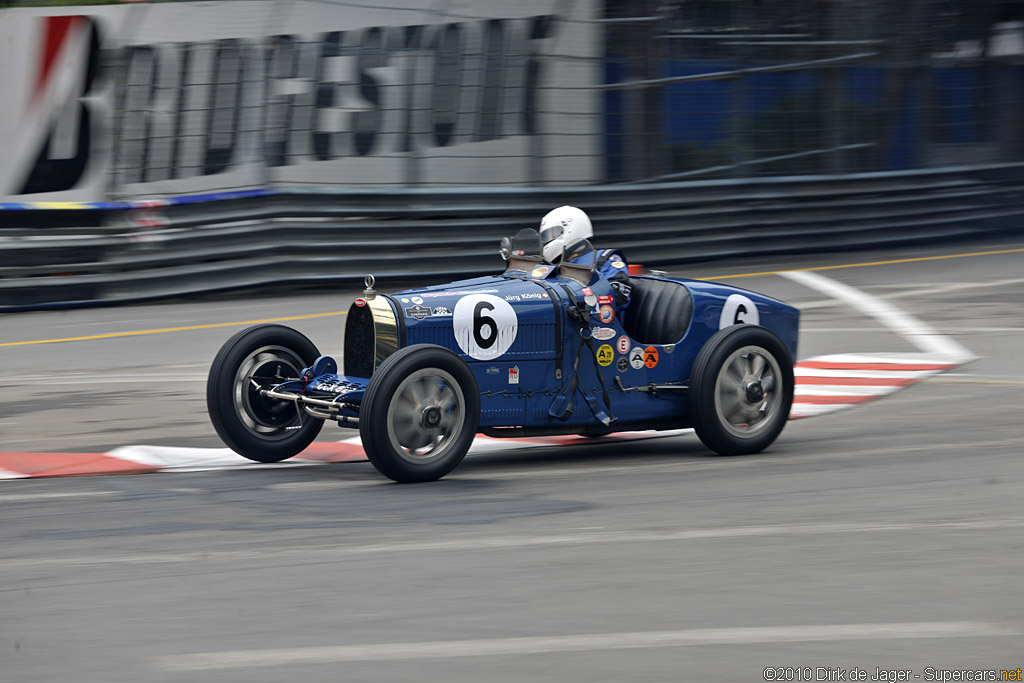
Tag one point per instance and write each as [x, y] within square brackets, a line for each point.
[537, 351]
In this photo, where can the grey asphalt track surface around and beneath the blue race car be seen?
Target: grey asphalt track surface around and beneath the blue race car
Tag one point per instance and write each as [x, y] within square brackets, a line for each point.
[886, 537]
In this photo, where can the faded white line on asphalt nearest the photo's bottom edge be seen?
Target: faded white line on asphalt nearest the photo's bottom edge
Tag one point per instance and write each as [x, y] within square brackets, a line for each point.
[581, 644]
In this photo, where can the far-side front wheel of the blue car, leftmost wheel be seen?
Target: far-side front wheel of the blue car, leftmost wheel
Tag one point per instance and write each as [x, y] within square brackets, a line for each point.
[260, 429]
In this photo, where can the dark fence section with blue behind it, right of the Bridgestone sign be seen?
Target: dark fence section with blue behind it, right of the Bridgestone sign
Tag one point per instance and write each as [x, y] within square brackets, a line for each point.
[738, 89]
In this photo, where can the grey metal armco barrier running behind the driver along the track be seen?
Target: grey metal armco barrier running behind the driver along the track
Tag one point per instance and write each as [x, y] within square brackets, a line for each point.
[185, 246]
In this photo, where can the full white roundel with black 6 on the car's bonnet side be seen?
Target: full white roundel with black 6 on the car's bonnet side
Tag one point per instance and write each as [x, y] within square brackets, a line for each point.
[485, 326]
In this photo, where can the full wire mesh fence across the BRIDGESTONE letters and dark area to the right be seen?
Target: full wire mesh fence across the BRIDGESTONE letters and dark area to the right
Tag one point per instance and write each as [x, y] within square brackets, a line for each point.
[562, 93]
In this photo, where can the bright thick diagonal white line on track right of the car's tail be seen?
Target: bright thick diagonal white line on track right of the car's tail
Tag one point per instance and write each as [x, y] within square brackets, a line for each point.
[918, 333]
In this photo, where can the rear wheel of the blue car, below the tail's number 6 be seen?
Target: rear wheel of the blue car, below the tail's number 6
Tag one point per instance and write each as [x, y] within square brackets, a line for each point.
[733, 408]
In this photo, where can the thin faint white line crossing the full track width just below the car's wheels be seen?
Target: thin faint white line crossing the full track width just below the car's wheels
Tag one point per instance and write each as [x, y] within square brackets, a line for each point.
[479, 543]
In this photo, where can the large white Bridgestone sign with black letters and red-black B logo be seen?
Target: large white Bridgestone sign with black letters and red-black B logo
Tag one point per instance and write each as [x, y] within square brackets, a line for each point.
[180, 98]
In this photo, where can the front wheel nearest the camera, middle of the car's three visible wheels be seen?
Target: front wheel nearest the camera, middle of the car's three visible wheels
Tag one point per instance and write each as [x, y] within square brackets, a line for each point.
[419, 414]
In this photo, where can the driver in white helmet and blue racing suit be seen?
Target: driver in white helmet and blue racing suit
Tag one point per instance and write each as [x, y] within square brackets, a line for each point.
[565, 228]
